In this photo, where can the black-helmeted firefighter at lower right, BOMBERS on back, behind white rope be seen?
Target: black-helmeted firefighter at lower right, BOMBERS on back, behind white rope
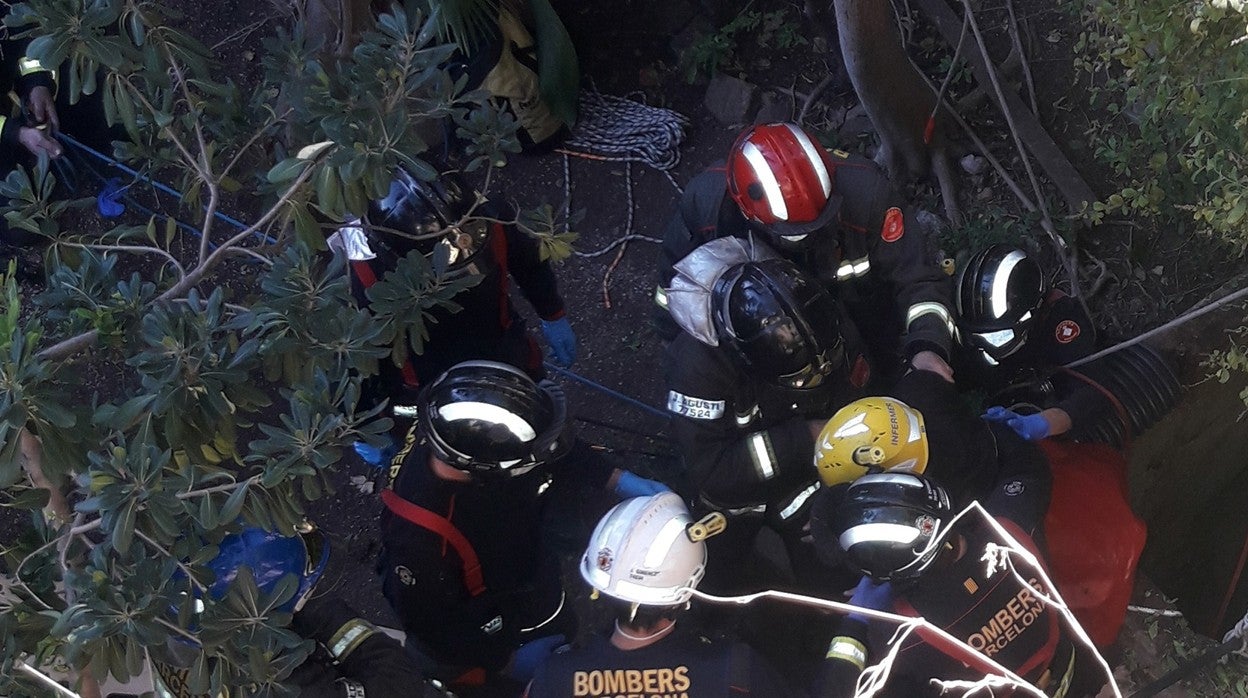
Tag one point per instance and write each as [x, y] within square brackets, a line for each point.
[897, 529]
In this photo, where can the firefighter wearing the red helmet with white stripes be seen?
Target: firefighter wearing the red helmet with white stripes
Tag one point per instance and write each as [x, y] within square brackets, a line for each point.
[838, 218]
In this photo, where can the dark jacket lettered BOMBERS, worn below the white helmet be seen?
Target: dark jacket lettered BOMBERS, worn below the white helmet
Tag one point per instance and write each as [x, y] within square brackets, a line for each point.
[681, 666]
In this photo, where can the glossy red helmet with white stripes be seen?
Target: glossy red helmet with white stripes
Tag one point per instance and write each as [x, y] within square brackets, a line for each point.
[782, 178]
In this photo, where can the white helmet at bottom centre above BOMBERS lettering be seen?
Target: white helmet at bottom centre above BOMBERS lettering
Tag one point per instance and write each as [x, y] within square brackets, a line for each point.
[642, 554]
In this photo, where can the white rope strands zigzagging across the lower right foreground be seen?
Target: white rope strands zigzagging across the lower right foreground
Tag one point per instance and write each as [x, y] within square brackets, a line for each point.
[999, 558]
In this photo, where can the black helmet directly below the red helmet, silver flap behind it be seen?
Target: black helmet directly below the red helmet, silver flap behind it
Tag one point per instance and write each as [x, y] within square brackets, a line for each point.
[783, 325]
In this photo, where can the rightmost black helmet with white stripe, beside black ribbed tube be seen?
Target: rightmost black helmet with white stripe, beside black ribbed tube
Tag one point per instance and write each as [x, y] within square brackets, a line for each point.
[999, 292]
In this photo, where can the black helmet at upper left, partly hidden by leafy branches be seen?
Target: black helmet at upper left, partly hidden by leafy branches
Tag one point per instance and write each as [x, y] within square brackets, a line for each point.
[424, 209]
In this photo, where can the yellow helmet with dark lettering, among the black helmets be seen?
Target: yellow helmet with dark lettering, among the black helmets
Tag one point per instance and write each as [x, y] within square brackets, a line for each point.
[872, 435]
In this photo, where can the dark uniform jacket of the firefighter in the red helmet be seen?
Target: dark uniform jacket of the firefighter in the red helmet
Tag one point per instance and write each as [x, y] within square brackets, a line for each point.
[877, 260]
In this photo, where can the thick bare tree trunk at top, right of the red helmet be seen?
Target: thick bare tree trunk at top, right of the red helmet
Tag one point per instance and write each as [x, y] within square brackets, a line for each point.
[894, 96]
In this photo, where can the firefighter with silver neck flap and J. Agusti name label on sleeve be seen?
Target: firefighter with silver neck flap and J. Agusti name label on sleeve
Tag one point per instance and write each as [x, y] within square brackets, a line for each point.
[762, 363]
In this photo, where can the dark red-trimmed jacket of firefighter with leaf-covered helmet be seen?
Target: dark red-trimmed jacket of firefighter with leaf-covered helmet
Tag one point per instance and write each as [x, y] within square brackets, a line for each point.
[486, 327]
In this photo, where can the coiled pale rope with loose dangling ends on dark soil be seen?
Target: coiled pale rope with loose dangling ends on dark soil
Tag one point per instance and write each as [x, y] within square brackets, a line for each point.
[612, 129]
